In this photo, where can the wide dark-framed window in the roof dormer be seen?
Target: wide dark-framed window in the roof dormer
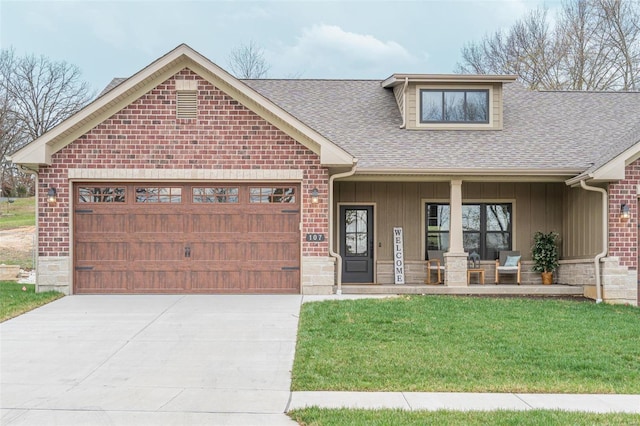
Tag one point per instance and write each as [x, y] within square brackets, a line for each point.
[454, 106]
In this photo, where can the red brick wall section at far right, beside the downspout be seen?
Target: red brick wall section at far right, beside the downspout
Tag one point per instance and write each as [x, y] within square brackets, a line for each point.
[623, 235]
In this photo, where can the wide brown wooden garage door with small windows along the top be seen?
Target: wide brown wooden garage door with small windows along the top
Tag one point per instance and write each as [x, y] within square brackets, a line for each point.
[178, 238]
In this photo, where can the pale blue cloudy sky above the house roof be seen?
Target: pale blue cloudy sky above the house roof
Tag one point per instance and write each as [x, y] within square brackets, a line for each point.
[356, 39]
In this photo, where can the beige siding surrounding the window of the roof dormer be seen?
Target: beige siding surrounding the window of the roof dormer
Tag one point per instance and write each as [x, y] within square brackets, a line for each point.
[413, 106]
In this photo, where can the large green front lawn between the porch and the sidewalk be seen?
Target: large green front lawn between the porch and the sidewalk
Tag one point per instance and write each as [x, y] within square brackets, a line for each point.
[463, 344]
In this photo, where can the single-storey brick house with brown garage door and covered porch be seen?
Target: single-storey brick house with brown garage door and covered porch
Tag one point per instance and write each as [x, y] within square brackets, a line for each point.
[183, 178]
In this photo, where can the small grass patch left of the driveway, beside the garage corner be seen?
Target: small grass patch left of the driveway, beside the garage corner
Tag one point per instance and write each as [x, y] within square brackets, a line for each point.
[14, 301]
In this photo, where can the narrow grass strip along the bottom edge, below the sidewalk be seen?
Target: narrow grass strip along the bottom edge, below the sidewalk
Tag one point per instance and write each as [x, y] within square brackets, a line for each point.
[325, 417]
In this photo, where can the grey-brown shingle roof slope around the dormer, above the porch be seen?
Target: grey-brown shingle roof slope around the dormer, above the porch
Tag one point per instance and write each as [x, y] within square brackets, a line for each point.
[543, 131]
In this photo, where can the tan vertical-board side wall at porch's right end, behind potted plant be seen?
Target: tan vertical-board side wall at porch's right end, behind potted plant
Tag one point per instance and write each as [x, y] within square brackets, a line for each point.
[582, 220]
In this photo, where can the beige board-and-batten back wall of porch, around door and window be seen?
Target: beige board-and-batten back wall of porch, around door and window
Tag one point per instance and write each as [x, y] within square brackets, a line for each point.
[536, 207]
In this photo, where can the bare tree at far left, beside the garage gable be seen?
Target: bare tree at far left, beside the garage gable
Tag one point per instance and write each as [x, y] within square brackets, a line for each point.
[36, 94]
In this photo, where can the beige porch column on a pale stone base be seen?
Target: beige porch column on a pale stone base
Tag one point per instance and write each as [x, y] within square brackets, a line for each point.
[455, 258]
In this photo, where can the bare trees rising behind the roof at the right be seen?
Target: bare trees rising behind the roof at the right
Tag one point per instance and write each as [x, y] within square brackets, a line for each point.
[593, 45]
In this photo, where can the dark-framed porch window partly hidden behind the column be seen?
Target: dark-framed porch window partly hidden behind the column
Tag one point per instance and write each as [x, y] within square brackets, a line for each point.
[486, 228]
